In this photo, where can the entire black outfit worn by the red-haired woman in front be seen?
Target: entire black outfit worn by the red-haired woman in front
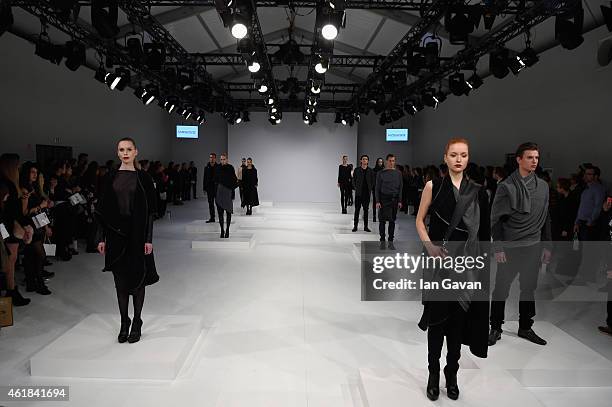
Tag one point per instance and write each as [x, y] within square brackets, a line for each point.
[464, 320]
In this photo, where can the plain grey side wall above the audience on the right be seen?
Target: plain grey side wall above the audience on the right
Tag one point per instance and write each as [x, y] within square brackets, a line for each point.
[563, 103]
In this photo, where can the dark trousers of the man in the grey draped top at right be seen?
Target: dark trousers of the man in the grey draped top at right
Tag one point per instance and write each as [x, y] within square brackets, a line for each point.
[524, 261]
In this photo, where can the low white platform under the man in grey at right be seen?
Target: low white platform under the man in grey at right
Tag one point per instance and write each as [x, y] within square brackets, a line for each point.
[563, 362]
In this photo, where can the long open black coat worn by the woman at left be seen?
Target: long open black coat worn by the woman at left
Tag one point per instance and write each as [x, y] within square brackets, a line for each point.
[118, 246]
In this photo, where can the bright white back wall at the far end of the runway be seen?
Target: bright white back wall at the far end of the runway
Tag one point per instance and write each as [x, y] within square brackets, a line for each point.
[295, 162]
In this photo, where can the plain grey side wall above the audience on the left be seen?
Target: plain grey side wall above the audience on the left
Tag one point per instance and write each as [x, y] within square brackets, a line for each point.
[42, 102]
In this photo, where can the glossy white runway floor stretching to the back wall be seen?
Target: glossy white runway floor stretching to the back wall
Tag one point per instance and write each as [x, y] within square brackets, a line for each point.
[283, 325]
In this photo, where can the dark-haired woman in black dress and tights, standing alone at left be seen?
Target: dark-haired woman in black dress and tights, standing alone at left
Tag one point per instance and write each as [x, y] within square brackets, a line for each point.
[125, 216]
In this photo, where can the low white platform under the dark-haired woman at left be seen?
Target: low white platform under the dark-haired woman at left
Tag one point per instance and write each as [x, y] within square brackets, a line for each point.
[90, 349]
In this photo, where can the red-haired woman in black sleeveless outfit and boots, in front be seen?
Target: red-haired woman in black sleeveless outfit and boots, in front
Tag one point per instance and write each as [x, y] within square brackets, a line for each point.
[464, 317]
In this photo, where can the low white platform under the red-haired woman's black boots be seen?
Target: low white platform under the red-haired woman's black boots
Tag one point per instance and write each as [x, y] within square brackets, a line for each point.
[393, 387]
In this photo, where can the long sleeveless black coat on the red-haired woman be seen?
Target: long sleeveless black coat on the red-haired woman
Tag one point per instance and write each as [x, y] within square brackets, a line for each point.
[476, 328]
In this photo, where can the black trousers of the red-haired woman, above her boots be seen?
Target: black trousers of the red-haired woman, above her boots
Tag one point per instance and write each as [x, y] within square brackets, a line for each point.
[451, 328]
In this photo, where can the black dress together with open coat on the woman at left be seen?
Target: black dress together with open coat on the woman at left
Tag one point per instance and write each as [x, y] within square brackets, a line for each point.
[125, 216]
